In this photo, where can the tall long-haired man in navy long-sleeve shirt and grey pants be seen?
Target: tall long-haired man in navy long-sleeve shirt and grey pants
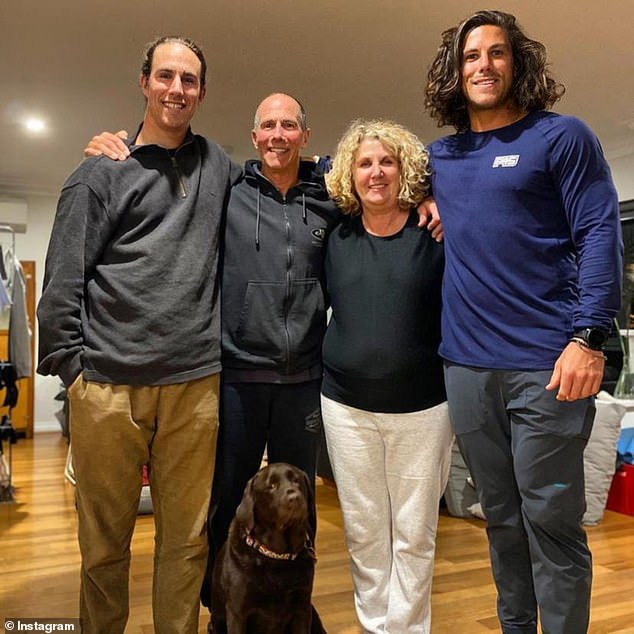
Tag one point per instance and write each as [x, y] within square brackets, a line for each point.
[532, 283]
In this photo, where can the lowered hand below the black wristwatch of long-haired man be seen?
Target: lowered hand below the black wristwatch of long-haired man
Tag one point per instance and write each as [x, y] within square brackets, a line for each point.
[578, 373]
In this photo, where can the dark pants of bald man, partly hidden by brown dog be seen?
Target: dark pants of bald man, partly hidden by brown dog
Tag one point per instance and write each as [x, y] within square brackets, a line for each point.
[284, 418]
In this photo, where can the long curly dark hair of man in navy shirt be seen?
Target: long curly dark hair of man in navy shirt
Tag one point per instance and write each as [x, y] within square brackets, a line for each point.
[533, 86]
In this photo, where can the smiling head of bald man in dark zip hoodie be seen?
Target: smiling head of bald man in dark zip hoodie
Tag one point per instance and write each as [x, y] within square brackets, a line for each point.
[278, 135]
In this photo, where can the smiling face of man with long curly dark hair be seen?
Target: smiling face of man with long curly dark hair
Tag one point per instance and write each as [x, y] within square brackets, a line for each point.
[487, 74]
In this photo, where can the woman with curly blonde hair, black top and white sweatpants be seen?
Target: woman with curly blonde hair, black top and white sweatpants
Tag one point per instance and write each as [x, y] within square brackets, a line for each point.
[383, 398]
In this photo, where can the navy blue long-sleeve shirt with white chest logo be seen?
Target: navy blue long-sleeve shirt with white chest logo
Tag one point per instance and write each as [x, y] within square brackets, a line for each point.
[532, 241]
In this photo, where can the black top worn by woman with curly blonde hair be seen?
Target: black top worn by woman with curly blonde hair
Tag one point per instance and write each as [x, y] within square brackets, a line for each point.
[380, 350]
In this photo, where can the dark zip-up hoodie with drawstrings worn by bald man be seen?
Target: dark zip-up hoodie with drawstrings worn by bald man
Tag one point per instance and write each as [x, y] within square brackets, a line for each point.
[273, 306]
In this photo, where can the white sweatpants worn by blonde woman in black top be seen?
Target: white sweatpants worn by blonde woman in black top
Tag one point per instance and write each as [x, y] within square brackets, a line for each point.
[391, 471]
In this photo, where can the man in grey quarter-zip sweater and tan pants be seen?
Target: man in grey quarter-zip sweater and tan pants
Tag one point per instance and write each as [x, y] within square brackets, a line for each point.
[129, 320]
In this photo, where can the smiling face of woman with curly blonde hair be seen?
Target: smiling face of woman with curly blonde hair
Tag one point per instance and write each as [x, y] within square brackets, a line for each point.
[376, 176]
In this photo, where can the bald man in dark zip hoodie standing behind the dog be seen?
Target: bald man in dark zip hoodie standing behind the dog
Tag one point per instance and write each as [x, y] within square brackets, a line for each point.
[273, 308]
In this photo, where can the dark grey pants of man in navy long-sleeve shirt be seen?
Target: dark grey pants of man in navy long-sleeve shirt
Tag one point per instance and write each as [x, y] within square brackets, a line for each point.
[524, 450]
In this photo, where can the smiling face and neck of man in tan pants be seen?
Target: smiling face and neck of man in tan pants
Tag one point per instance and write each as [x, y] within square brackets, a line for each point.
[173, 92]
